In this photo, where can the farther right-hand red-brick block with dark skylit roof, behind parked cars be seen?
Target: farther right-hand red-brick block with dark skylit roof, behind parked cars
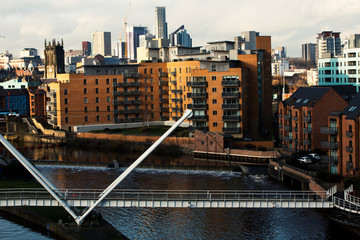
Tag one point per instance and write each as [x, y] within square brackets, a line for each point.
[303, 116]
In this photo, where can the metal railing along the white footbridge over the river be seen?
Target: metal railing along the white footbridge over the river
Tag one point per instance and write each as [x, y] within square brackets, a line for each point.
[180, 195]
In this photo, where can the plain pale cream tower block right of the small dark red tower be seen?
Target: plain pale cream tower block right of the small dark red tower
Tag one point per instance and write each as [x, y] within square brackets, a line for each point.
[101, 42]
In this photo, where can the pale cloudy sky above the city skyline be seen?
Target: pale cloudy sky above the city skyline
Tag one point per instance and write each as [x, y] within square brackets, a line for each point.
[26, 23]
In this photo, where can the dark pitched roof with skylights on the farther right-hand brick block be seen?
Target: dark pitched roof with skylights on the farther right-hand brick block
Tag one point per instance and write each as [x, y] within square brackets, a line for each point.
[306, 96]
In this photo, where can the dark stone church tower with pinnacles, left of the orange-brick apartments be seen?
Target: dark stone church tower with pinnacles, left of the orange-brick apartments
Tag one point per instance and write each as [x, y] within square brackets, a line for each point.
[54, 59]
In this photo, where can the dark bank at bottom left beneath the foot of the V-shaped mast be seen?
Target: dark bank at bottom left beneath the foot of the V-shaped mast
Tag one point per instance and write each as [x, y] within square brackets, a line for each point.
[100, 230]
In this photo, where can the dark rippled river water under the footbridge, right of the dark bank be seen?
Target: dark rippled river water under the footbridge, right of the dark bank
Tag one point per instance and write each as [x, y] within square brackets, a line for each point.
[190, 223]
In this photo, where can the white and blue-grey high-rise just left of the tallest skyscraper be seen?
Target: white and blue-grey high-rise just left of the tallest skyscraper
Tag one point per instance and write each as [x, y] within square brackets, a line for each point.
[133, 42]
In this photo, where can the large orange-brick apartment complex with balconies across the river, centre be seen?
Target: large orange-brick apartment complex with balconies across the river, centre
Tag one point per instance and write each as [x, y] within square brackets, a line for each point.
[227, 96]
